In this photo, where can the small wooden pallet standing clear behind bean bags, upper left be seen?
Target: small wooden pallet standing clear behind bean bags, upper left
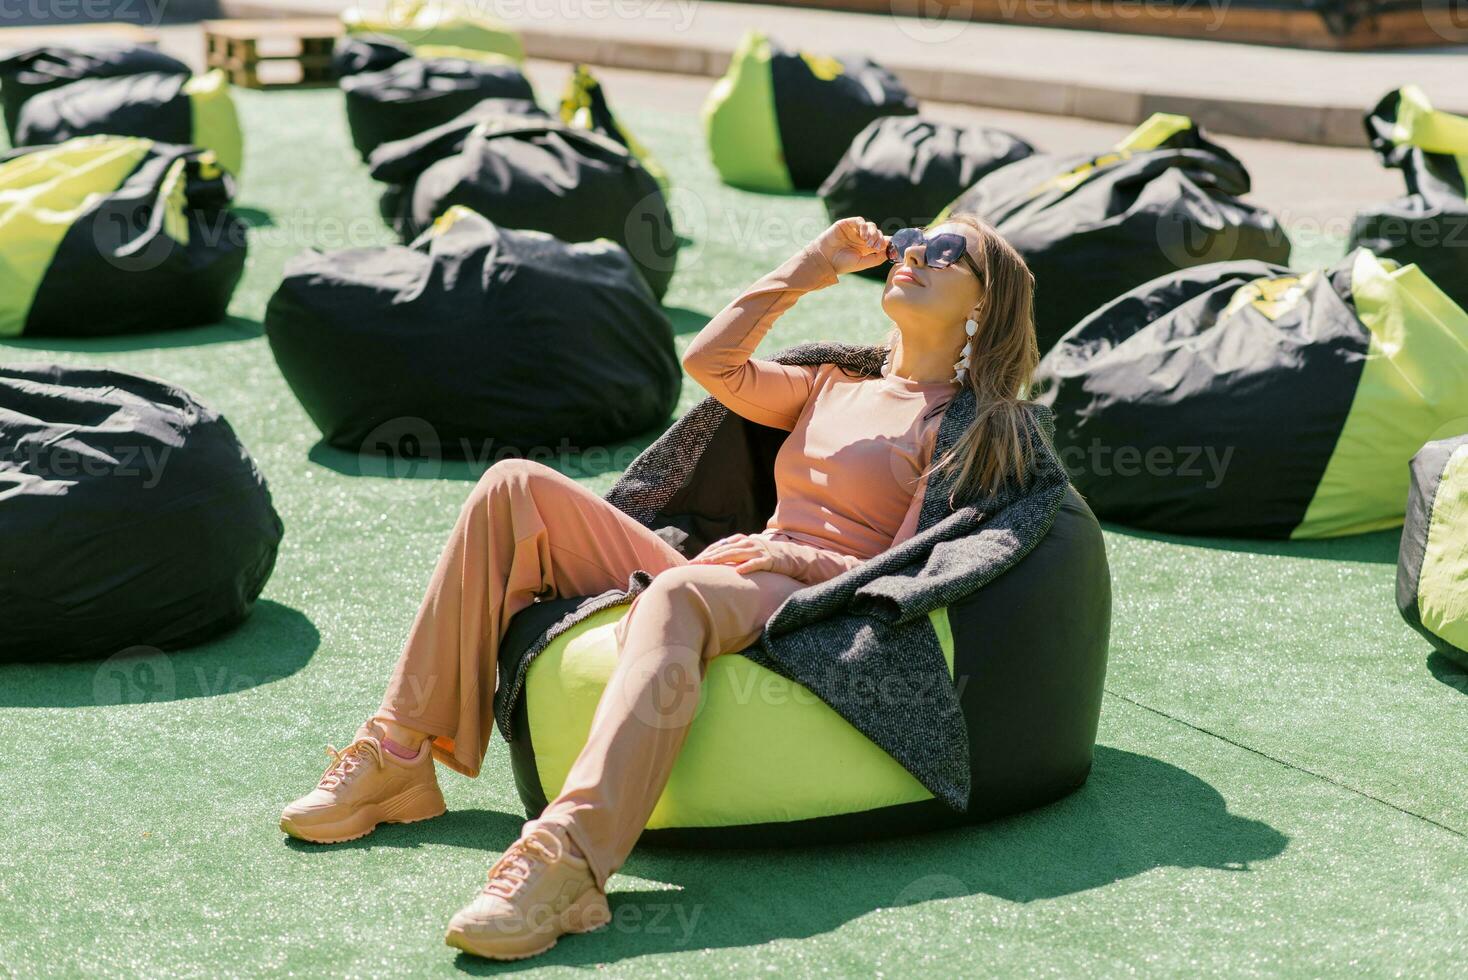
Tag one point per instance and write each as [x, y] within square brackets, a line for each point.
[241, 48]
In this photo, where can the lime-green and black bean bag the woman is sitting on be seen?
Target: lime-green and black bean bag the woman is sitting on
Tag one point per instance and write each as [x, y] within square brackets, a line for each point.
[768, 764]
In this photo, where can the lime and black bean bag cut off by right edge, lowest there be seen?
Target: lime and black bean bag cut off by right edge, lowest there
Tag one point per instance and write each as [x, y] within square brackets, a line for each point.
[1432, 571]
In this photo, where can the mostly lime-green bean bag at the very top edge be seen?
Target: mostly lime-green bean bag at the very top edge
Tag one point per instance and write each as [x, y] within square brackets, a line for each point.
[440, 24]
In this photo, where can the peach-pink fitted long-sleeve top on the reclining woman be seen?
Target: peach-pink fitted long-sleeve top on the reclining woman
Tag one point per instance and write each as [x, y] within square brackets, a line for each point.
[849, 478]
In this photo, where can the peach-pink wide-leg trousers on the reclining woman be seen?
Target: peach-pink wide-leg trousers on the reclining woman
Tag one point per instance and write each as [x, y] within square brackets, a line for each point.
[531, 530]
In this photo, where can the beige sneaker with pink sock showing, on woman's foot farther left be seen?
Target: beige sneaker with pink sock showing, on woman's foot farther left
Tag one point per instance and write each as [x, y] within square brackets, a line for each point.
[363, 787]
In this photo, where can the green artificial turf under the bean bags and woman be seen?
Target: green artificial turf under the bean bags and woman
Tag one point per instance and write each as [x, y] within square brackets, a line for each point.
[1279, 784]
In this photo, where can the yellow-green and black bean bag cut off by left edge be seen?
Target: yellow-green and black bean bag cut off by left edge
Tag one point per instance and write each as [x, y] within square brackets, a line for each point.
[106, 235]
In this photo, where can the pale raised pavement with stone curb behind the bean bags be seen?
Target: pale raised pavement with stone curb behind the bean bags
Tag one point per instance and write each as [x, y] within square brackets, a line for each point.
[1240, 89]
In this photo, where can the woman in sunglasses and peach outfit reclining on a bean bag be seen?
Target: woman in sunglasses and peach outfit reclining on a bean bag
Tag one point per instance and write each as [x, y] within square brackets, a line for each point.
[851, 479]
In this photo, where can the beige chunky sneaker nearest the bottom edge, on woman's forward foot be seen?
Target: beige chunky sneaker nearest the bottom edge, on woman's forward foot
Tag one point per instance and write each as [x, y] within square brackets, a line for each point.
[538, 891]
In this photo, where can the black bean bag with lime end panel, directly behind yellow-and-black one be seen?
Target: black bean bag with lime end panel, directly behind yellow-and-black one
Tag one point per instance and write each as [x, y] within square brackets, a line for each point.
[178, 109]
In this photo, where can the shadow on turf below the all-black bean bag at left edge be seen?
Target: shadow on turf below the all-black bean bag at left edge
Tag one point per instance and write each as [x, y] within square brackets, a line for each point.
[274, 643]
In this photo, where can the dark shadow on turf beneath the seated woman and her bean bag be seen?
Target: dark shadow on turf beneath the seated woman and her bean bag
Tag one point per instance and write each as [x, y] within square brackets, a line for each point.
[1135, 815]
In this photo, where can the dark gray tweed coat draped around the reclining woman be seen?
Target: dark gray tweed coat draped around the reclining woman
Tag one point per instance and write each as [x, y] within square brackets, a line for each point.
[862, 642]
